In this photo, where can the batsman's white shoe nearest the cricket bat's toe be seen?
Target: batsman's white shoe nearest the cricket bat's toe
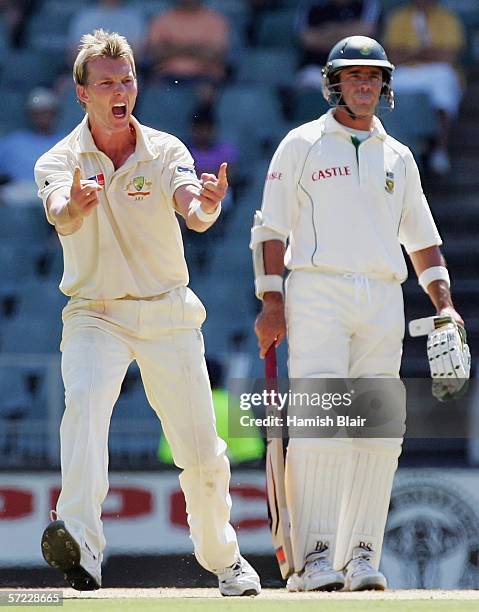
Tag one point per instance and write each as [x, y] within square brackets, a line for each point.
[318, 575]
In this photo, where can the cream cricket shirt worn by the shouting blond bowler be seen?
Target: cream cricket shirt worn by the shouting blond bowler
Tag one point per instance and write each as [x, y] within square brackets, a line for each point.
[130, 245]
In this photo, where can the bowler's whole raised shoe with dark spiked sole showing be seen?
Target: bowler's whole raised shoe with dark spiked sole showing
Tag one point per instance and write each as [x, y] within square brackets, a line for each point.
[81, 568]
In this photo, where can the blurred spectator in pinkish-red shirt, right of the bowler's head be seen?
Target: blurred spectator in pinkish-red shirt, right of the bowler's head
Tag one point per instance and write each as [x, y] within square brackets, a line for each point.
[189, 42]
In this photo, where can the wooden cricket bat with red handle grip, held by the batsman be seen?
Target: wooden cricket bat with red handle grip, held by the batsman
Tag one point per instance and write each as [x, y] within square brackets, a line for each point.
[275, 486]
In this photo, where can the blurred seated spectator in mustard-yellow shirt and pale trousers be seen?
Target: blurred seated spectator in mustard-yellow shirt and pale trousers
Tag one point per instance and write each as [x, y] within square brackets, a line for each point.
[425, 41]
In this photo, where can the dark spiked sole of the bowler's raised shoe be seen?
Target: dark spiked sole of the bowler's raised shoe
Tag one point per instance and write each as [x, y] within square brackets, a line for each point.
[61, 551]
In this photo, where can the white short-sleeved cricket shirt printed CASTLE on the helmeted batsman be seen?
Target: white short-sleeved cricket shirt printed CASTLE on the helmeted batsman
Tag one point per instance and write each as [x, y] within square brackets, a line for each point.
[347, 209]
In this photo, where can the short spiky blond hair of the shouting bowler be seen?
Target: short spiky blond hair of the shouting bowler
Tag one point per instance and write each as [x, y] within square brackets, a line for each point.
[100, 44]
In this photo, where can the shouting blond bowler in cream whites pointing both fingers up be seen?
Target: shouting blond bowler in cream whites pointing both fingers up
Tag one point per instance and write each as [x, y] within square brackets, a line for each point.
[112, 189]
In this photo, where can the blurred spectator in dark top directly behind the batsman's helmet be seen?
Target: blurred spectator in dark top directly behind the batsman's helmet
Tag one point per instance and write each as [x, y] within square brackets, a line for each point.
[321, 23]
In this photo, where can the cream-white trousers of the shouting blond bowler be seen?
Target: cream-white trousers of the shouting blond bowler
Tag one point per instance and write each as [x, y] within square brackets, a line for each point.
[100, 340]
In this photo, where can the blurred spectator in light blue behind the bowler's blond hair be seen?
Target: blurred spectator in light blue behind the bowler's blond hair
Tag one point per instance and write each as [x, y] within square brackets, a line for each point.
[111, 15]
